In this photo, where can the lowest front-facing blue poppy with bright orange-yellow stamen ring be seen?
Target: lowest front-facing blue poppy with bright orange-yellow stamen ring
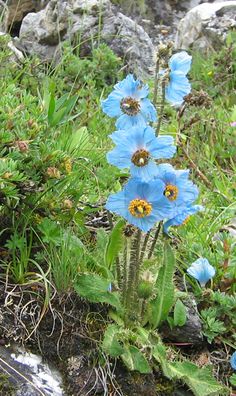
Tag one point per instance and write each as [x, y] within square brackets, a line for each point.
[141, 203]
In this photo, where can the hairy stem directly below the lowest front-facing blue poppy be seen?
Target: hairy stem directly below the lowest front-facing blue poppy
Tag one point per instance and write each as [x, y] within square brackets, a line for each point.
[133, 275]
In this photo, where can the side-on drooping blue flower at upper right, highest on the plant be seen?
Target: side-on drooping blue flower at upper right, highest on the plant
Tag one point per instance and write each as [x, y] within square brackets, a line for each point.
[179, 85]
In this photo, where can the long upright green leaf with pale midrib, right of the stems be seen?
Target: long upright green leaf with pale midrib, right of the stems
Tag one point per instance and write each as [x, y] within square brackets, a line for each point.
[162, 304]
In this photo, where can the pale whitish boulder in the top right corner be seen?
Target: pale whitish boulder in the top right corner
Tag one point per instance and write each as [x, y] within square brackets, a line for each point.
[206, 26]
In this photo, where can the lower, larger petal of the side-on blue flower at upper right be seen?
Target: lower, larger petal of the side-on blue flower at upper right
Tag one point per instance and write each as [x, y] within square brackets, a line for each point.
[178, 87]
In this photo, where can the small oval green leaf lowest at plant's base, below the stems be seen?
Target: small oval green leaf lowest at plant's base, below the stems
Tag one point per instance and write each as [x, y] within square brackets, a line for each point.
[135, 360]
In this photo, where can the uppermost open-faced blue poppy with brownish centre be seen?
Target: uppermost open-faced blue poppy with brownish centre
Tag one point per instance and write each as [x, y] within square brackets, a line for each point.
[128, 102]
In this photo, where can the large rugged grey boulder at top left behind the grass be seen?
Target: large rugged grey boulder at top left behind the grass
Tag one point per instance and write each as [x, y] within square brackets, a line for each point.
[88, 22]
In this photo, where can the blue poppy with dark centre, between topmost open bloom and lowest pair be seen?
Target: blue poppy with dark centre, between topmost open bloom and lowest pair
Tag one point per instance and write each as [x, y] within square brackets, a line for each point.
[137, 149]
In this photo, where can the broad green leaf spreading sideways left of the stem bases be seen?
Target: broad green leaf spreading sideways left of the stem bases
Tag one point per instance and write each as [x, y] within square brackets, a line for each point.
[95, 289]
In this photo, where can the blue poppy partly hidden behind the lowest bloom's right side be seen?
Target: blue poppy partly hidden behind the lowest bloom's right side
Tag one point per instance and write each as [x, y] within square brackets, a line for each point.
[179, 190]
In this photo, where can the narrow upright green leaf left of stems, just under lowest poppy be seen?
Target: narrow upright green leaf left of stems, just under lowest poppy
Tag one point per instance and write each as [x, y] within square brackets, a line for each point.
[114, 243]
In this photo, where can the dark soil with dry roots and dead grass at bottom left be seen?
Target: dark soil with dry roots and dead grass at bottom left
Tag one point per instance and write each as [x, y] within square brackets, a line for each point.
[68, 335]
